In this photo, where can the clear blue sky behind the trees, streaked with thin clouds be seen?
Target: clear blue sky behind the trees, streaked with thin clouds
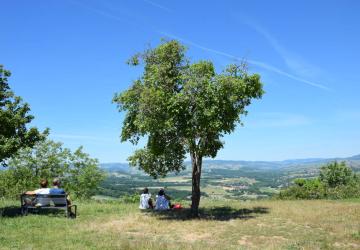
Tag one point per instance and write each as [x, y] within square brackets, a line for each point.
[68, 59]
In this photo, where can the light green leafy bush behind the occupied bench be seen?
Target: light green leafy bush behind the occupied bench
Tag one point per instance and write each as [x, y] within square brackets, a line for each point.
[80, 174]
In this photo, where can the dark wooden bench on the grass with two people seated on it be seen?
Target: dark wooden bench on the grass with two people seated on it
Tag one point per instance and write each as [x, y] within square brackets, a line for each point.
[46, 201]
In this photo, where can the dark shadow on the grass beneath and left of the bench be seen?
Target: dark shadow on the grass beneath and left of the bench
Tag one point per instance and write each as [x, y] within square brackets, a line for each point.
[15, 211]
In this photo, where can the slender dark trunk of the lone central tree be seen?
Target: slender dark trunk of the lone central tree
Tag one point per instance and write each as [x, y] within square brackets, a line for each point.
[196, 162]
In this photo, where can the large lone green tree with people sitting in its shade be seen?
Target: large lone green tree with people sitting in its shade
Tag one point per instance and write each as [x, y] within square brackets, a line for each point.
[182, 107]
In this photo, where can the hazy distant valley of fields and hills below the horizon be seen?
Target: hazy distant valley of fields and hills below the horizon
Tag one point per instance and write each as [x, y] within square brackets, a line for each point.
[220, 179]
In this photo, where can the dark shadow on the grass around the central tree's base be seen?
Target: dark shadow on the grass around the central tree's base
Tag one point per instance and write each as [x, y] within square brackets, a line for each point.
[223, 213]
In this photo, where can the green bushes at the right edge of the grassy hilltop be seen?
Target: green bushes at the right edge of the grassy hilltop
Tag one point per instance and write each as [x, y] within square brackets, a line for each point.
[336, 181]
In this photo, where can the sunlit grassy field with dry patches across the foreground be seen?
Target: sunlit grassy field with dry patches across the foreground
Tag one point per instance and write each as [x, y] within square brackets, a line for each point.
[263, 224]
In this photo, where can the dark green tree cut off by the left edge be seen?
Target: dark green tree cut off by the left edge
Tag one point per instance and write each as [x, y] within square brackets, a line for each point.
[14, 118]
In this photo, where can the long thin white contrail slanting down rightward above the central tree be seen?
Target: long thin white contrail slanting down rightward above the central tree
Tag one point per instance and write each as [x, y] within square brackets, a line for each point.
[253, 62]
